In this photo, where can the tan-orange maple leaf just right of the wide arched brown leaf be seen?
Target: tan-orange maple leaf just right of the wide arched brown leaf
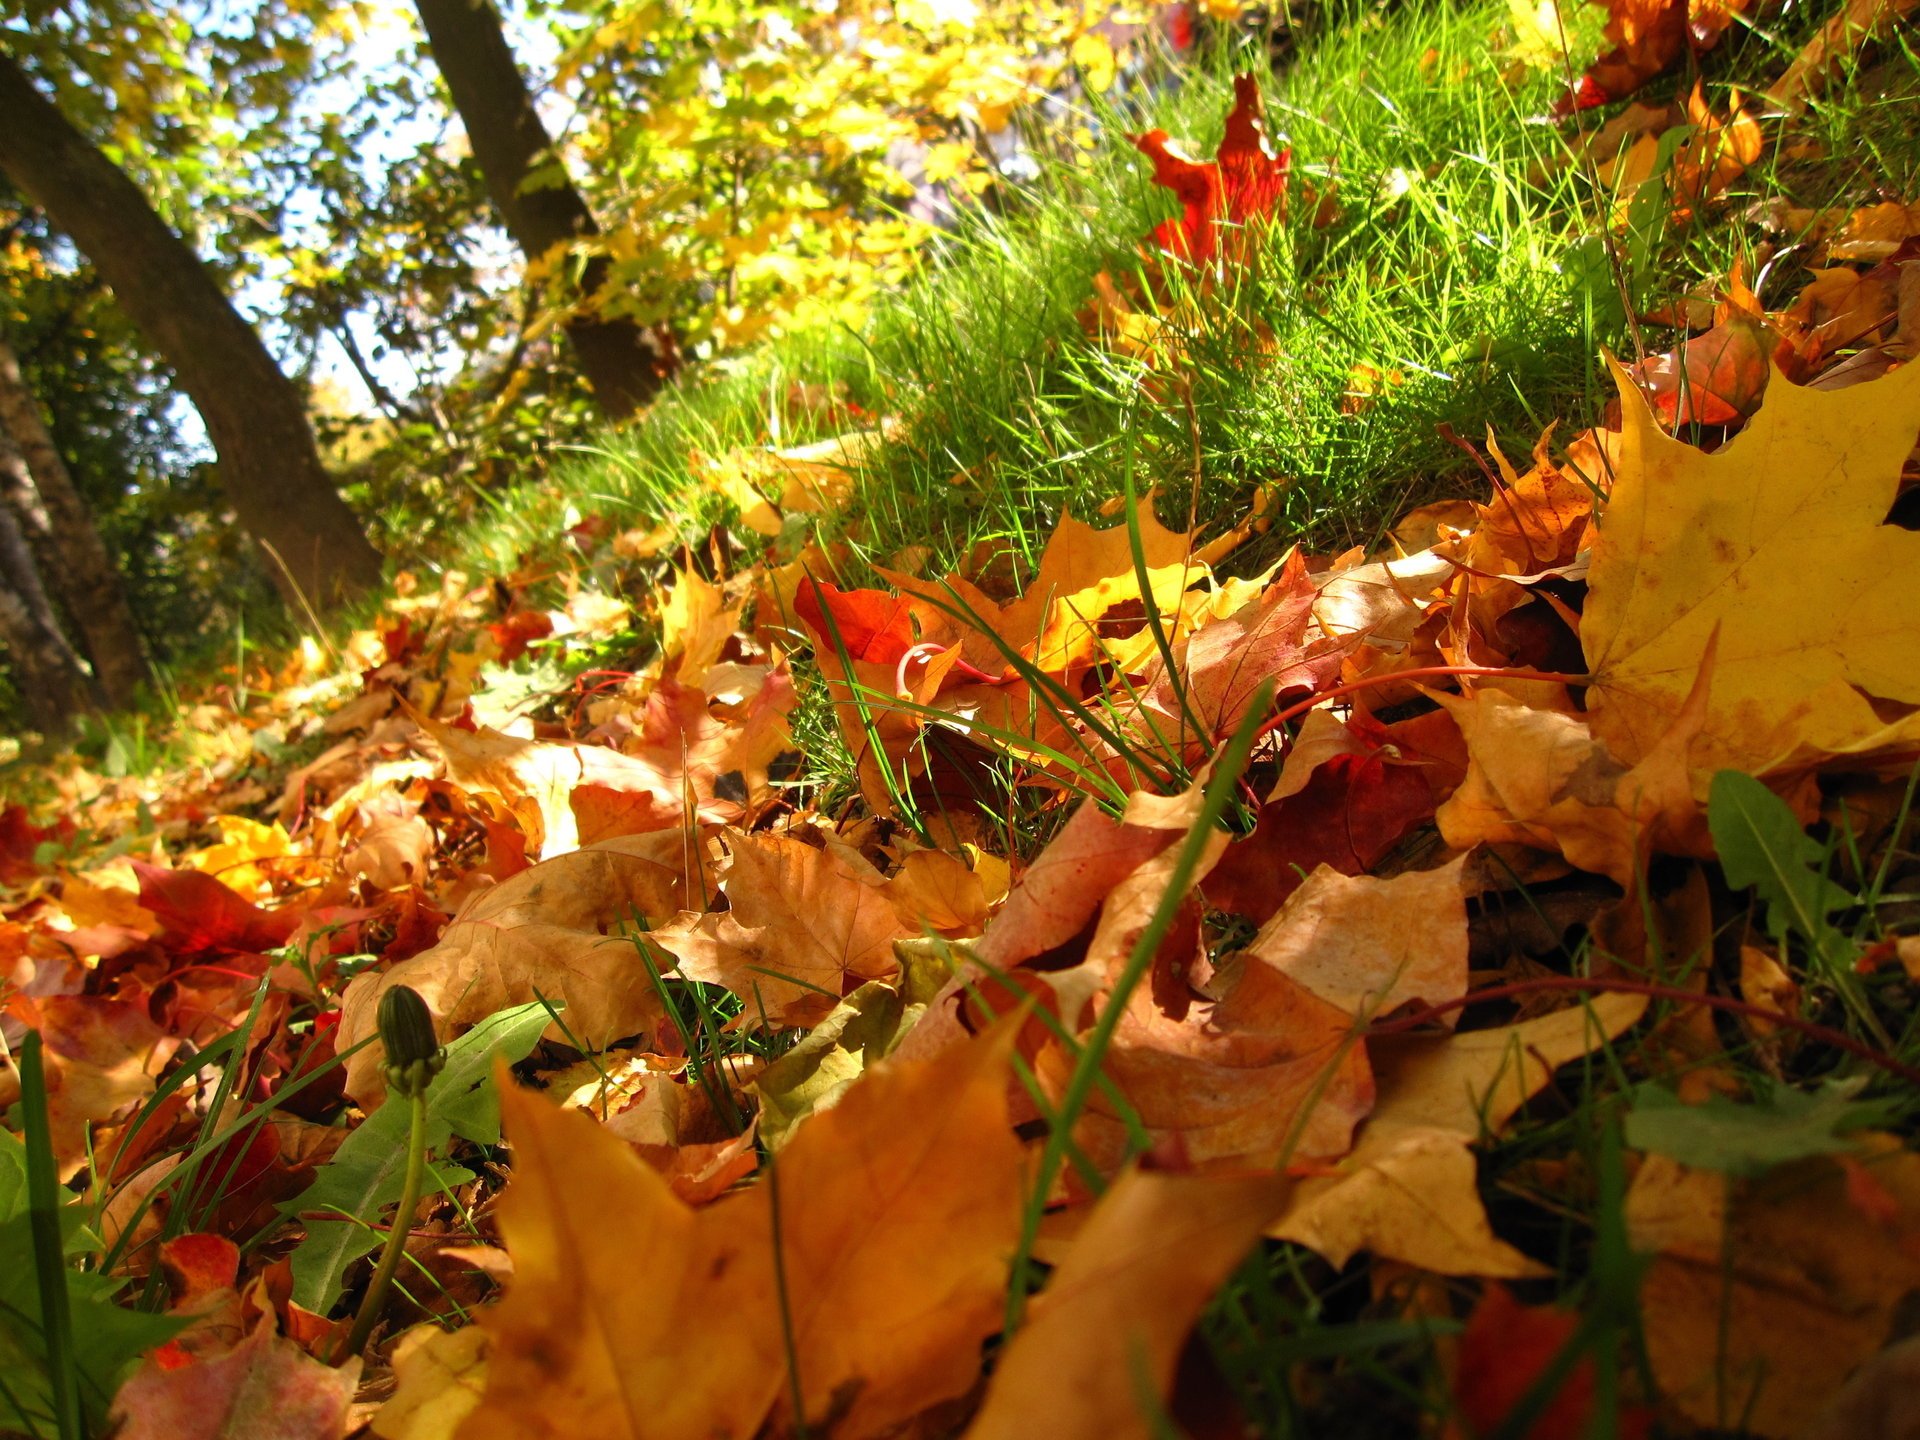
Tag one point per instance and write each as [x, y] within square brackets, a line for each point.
[805, 930]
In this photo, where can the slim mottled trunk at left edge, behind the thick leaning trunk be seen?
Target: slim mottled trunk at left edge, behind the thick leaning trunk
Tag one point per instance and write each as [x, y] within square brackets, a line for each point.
[70, 544]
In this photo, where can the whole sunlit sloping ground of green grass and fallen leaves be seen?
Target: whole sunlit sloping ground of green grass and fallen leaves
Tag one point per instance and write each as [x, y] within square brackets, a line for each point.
[1284, 809]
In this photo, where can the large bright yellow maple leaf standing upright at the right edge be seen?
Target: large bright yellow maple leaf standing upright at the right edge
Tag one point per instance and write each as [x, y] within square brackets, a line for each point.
[1779, 542]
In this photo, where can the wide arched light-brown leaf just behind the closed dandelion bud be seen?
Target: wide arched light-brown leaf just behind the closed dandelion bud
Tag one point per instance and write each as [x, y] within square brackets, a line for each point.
[550, 928]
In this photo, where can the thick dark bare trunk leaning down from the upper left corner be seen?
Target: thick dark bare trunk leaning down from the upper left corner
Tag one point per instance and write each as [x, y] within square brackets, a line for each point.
[256, 418]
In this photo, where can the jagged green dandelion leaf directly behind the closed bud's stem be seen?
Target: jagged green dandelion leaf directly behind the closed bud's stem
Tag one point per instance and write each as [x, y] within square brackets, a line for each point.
[368, 1172]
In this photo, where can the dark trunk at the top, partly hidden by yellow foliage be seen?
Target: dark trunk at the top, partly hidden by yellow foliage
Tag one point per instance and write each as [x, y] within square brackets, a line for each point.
[510, 141]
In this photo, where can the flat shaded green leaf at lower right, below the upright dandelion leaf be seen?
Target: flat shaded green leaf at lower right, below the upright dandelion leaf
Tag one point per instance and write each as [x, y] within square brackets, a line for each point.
[1750, 1140]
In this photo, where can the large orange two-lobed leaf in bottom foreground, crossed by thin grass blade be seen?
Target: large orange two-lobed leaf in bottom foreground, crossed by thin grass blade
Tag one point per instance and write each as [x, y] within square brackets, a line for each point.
[633, 1316]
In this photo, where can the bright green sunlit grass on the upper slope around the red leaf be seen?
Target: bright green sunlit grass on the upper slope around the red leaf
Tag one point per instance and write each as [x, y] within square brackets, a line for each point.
[1468, 258]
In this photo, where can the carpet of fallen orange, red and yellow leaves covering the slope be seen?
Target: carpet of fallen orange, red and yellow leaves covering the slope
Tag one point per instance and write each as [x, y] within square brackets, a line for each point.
[1470, 980]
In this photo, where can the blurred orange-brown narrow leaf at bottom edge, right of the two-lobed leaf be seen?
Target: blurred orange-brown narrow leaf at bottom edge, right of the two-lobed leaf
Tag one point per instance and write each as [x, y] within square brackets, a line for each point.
[1116, 1312]
